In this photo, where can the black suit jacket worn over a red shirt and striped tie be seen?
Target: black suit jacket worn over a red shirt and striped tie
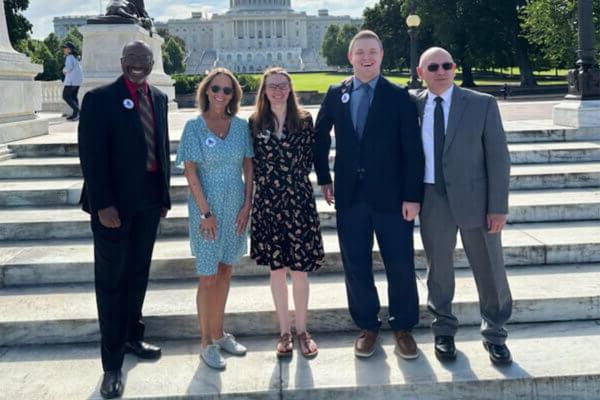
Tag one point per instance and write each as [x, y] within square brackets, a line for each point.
[113, 150]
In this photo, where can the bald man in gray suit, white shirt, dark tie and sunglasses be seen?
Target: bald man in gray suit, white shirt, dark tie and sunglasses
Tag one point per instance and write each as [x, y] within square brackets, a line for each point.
[467, 172]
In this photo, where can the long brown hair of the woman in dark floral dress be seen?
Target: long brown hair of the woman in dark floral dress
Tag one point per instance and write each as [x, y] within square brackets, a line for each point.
[263, 117]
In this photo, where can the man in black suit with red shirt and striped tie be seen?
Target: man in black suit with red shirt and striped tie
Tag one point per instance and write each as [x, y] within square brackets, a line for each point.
[124, 153]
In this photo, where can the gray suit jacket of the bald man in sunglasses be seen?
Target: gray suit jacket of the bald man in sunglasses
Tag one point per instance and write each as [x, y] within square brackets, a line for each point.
[475, 159]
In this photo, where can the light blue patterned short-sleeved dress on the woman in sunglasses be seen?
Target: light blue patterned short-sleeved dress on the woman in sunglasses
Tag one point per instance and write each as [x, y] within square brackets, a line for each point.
[219, 168]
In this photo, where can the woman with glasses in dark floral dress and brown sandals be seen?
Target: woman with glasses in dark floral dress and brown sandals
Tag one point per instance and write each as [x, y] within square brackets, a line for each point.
[285, 224]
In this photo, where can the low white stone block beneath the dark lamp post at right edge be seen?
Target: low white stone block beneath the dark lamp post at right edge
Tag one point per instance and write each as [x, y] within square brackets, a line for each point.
[577, 113]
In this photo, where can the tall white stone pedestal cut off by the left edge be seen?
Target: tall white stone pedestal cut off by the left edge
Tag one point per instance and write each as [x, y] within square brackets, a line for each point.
[21, 95]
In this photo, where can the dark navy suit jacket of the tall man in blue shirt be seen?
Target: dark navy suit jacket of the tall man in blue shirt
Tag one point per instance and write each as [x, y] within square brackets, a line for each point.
[390, 152]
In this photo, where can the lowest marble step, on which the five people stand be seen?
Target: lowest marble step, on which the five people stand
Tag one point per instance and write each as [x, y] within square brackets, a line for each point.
[571, 372]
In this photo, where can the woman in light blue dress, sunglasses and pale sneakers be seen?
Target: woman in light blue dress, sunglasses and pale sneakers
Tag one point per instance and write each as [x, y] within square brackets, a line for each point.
[215, 149]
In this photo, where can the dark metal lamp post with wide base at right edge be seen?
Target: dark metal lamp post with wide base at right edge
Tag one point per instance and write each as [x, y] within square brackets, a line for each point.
[584, 80]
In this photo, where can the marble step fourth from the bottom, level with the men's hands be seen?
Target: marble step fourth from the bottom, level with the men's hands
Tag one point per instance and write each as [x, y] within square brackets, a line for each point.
[26, 223]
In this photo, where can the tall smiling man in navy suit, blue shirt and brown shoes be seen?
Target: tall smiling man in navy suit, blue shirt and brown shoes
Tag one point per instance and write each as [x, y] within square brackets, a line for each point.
[379, 168]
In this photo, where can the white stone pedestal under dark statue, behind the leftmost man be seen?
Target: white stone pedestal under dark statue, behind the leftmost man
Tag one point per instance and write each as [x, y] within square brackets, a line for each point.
[102, 48]
